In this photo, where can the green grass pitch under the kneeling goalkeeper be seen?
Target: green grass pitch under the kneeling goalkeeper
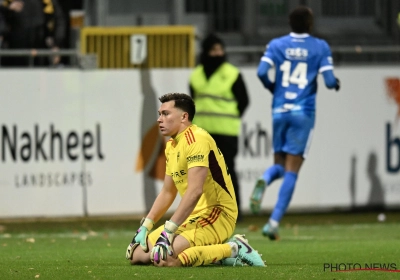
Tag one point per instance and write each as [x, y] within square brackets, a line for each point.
[95, 249]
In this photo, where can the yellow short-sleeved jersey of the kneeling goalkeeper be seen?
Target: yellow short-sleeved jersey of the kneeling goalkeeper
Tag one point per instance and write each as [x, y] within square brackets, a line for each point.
[195, 147]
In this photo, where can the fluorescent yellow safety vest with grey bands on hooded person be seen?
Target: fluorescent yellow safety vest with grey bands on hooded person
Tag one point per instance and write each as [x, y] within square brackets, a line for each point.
[216, 106]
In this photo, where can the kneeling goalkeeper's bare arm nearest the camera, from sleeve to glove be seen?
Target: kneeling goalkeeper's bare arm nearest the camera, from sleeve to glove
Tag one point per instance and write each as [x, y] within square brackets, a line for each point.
[196, 178]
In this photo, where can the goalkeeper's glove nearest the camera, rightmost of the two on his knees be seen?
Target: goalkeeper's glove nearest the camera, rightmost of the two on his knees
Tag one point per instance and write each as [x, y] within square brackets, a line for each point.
[164, 242]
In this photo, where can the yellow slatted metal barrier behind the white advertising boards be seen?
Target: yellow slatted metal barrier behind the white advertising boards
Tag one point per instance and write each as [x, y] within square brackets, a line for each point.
[166, 46]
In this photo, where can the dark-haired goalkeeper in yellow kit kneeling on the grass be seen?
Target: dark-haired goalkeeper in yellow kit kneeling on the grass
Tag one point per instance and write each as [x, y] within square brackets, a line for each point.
[198, 232]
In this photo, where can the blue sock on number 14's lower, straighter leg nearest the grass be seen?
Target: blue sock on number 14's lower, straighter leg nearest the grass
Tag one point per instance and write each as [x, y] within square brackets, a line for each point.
[285, 195]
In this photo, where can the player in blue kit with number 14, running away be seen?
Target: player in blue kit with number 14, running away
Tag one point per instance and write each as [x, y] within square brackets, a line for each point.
[297, 59]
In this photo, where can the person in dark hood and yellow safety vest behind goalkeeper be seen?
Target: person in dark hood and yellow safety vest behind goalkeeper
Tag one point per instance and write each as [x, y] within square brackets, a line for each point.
[221, 98]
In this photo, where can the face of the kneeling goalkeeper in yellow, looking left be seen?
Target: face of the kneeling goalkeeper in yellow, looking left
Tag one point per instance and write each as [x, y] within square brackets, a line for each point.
[171, 120]
